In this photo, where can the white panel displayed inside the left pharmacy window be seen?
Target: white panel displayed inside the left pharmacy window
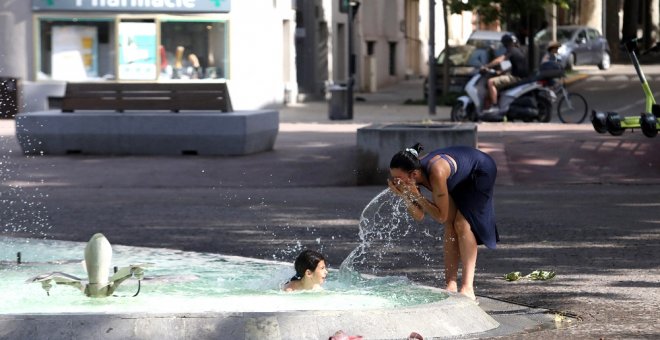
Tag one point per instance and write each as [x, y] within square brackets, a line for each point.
[75, 53]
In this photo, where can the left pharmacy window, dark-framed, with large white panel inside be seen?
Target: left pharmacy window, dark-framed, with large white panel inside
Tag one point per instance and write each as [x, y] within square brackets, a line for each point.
[76, 49]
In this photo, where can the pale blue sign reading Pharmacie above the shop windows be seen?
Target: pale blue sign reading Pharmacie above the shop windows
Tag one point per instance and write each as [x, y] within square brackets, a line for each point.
[129, 6]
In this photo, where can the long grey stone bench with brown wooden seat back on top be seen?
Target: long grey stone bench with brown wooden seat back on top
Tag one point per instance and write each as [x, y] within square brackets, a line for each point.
[147, 119]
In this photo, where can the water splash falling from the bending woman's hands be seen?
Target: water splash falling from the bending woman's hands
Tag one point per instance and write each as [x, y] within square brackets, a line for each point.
[390, 238]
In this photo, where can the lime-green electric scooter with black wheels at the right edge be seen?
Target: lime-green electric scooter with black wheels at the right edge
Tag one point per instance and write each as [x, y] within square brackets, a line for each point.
[616, 124]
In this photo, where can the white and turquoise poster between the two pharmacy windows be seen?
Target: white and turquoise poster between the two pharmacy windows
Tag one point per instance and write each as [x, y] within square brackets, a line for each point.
[137, 51]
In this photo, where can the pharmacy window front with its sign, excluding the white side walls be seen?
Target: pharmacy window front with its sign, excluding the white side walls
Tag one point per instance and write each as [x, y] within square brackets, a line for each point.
[131, 40]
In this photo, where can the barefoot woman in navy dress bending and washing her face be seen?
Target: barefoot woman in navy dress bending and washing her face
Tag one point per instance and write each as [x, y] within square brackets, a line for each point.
[461, 181]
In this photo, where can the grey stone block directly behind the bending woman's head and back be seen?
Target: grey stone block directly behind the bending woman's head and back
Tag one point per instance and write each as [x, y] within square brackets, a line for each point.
[377, 144]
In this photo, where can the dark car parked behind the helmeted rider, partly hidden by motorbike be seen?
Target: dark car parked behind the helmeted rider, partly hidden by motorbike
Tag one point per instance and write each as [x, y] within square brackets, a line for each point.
[464, 60]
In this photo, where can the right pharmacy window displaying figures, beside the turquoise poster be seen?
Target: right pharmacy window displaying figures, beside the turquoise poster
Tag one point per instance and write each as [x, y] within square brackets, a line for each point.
[193, 50]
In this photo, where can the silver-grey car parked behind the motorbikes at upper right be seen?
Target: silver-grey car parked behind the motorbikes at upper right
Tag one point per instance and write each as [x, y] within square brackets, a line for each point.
[580, 45]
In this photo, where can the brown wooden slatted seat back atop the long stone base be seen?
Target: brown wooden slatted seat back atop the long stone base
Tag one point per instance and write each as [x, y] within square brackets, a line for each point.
[172, 97]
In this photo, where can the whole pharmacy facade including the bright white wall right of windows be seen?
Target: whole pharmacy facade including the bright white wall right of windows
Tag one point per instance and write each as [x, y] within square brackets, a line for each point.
[248, 44]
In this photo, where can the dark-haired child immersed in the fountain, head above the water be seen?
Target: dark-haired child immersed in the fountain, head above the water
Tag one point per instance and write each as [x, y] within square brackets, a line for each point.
[310, 272]
